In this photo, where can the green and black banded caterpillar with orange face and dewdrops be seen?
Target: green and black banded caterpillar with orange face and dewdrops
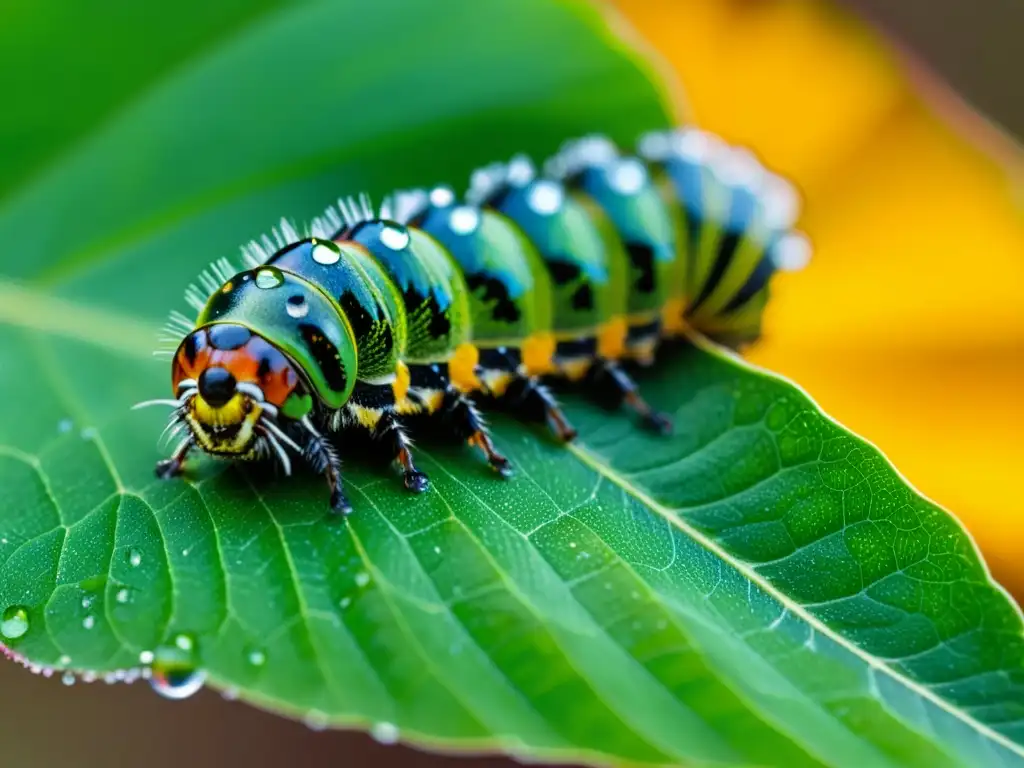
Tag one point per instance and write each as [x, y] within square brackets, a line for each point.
[433, 306]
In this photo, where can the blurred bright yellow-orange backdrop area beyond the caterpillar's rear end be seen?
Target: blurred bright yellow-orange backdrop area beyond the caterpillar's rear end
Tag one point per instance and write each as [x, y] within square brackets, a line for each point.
[909, 325]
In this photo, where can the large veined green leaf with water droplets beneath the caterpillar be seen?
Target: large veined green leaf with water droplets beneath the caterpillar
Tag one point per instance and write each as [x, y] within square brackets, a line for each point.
[761, 588]
